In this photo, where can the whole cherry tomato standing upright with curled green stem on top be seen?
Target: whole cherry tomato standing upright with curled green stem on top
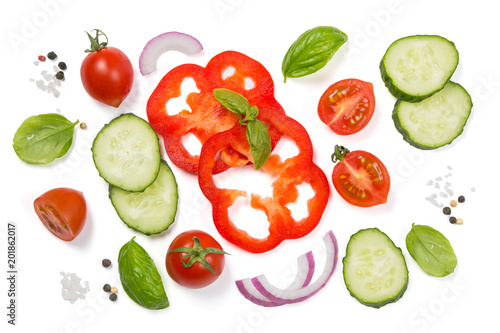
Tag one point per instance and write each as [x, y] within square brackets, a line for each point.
[106, 72]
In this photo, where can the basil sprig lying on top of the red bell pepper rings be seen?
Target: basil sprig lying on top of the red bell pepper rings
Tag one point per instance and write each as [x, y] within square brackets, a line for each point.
[257, 133]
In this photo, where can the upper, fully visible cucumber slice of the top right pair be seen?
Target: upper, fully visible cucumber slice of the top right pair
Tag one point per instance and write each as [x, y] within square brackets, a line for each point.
[416, 67]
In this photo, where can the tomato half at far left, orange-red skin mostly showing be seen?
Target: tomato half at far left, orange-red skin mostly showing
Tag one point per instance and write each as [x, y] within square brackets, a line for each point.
[63, 211]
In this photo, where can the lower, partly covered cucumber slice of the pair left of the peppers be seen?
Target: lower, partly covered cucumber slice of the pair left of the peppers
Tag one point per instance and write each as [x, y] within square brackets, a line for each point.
[151, 211]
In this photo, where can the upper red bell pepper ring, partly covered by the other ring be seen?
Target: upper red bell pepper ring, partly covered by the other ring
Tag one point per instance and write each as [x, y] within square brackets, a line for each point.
[207, 116]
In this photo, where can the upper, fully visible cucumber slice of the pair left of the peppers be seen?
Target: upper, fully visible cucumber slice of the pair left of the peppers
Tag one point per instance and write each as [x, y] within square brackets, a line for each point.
[126, 153]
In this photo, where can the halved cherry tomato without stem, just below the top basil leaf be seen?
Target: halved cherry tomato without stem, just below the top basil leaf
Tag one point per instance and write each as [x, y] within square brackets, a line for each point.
[347, 106]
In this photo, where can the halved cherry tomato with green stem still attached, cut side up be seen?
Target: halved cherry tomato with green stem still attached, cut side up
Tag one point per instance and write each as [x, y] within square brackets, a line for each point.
[360, 177]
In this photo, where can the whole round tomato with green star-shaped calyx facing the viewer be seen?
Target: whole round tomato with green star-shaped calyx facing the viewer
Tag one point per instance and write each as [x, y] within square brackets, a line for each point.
[195, 259]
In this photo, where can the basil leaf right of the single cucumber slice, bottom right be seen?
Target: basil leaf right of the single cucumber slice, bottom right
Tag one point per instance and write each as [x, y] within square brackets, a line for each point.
[431, 250]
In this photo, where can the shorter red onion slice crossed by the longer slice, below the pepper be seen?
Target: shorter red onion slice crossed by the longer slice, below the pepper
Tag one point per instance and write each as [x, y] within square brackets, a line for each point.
[304, 275]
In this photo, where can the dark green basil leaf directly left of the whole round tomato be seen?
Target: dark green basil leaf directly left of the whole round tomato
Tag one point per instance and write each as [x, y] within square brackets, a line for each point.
[140, 278]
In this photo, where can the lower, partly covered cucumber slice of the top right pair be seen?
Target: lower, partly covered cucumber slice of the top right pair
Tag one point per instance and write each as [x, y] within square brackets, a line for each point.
[436, 121]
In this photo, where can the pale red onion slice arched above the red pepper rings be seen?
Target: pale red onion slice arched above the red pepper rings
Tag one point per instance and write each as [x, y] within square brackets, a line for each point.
[169, 41]
